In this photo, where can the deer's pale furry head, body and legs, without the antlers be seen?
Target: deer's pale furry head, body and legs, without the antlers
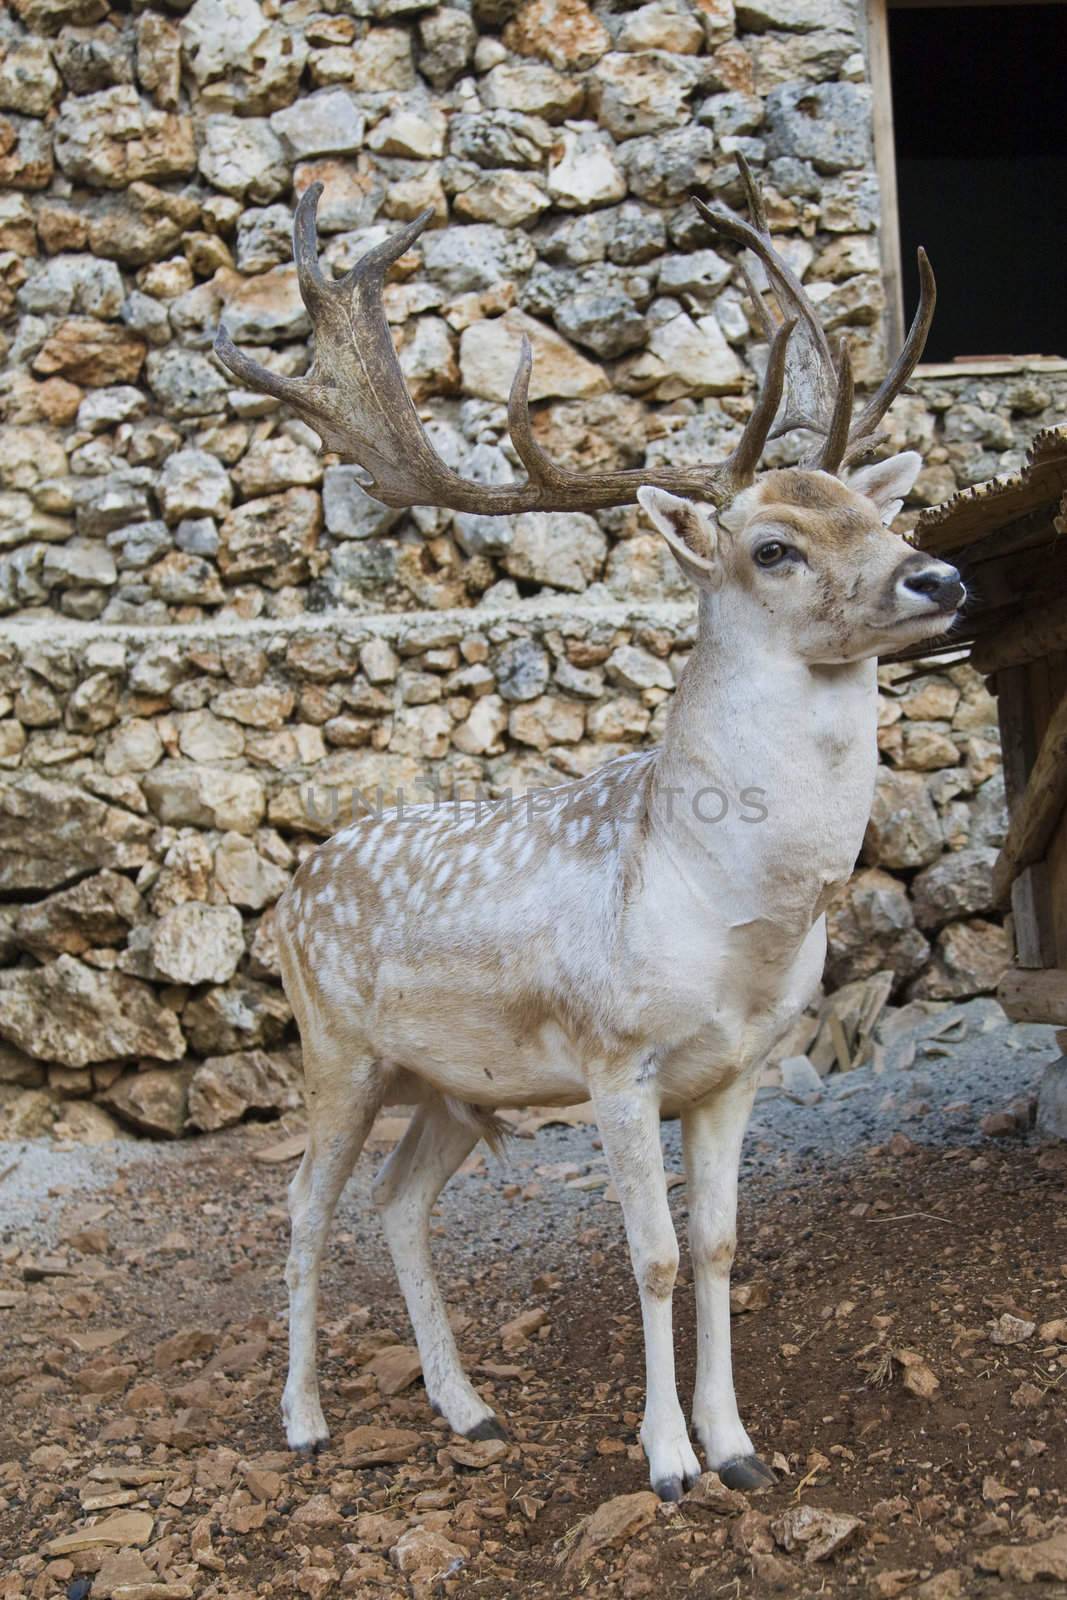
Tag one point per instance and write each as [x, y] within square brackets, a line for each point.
[613, 946]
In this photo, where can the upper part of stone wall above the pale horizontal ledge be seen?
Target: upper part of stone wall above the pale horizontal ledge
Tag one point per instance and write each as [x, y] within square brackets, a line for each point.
[153, 158]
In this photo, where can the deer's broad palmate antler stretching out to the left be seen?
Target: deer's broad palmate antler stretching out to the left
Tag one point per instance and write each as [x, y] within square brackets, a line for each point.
[356, 398]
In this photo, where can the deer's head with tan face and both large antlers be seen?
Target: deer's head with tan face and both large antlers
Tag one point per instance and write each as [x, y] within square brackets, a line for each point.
[865, 585]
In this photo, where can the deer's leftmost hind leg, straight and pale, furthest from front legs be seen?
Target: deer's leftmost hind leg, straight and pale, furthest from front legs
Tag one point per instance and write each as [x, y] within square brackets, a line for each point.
[343, 1100]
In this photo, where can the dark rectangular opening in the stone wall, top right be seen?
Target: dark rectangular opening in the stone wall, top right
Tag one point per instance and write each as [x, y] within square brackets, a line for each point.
[981, 162]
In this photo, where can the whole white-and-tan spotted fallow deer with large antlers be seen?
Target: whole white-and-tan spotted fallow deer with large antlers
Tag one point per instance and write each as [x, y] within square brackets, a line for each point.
[609, 946]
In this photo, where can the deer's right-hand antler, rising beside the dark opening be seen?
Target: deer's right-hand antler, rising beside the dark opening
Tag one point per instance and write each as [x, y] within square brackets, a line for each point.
[818, 390]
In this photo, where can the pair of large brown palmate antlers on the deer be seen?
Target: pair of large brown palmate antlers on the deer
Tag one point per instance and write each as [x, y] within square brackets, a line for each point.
[356, 398]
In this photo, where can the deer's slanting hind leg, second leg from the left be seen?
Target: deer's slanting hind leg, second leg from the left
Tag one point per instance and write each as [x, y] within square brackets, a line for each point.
[409, 1185]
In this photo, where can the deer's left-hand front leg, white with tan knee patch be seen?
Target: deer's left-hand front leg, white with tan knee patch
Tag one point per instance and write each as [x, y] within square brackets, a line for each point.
[629, 1127]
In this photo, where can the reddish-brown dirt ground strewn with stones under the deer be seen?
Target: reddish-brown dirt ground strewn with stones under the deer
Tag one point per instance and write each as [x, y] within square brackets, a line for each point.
[901, 1361]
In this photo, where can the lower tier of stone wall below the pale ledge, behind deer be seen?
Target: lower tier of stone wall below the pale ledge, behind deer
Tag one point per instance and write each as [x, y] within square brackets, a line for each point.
[161, 790]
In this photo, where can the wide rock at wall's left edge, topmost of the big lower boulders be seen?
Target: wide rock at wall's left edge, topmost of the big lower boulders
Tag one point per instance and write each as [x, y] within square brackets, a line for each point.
[54, 833]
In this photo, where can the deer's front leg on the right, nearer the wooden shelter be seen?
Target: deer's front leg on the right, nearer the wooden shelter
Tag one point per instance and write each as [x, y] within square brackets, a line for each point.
[713, 1135]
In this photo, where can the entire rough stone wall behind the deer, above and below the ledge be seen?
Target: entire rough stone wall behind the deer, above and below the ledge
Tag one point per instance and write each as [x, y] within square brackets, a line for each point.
[202, 615]
